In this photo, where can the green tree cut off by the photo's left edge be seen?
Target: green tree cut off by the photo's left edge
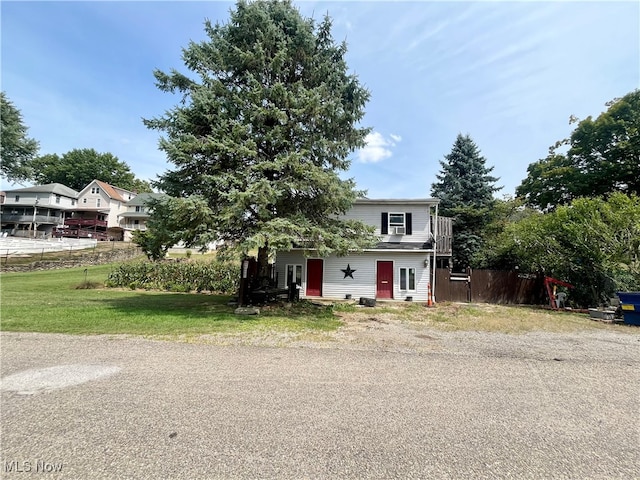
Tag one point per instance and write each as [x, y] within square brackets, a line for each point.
[17, 150]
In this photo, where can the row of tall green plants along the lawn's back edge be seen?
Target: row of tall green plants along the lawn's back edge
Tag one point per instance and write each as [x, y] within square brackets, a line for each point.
[193, 276]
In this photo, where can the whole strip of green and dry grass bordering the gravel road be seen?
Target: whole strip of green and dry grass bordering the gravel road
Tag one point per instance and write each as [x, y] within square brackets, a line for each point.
[52, 302]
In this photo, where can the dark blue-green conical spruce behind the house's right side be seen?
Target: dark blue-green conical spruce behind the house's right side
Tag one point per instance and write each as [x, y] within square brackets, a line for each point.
[465, 189]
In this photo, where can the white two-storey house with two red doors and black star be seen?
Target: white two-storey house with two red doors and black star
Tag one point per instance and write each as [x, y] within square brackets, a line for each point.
[400, 267]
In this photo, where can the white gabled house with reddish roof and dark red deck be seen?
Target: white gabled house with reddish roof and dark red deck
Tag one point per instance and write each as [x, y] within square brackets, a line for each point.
[97, 212]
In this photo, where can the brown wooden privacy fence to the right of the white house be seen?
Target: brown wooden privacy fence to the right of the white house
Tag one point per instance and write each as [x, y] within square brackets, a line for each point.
[489, 286]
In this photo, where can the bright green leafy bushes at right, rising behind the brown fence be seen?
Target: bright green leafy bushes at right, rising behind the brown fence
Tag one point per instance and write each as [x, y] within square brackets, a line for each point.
[593, 243]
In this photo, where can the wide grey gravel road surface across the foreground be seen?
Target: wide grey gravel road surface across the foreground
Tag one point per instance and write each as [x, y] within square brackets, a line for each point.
[449, 405]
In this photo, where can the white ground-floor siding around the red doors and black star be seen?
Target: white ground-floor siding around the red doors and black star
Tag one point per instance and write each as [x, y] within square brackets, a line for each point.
[363, 283]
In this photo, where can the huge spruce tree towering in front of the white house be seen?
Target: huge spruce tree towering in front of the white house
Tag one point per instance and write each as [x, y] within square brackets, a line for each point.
[263, 131]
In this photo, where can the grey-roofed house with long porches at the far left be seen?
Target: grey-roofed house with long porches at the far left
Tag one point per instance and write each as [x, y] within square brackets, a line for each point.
[37, 211]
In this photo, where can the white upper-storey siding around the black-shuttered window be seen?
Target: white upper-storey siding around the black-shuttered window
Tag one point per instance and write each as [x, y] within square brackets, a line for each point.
[371, 214]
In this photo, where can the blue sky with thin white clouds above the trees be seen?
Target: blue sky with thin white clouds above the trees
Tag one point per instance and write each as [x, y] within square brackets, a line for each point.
[509, 74]
